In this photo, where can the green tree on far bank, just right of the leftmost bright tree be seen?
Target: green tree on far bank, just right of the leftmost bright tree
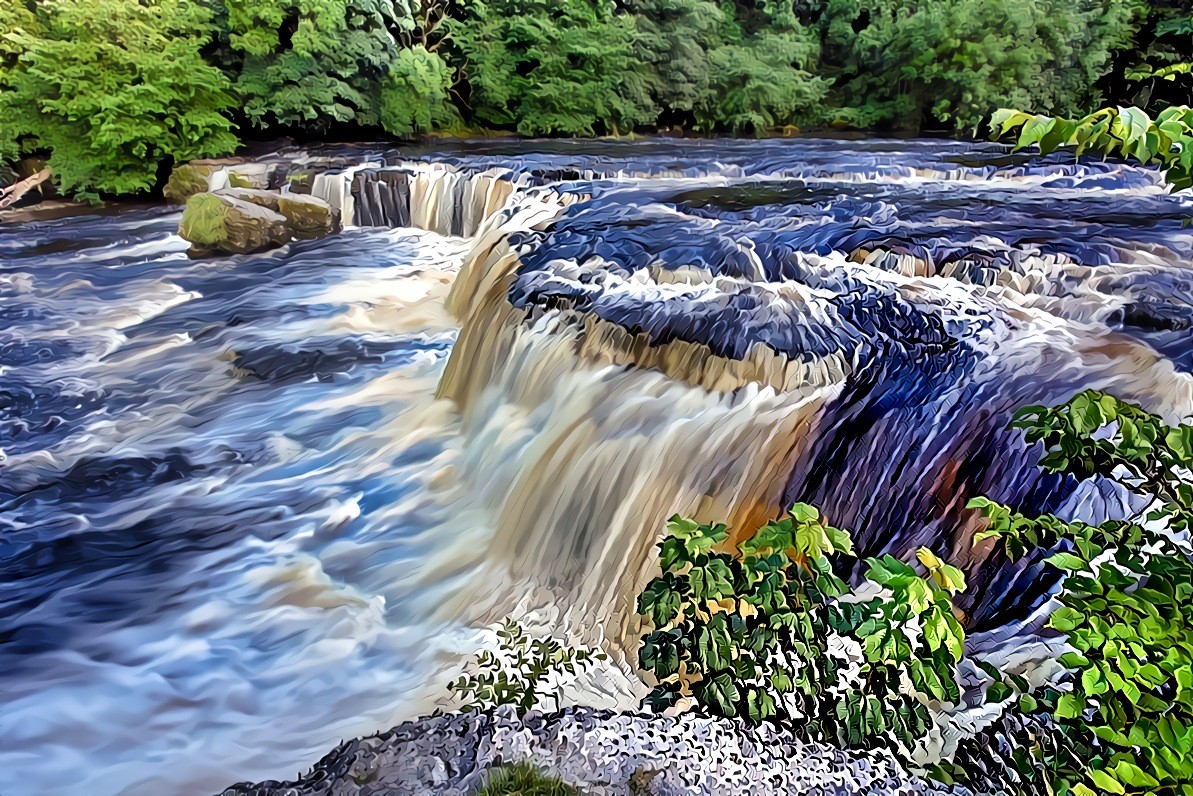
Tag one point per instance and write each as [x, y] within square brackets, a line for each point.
[314, 63]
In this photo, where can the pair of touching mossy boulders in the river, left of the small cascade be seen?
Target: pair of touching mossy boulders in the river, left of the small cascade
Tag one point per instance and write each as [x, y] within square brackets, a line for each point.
[242, 221]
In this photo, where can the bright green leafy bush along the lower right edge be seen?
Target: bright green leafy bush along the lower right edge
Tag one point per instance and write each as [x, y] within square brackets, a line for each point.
[1124, 725]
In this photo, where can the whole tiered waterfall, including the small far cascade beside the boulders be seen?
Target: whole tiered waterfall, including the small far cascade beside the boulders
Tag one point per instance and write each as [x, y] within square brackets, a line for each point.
[735, 378]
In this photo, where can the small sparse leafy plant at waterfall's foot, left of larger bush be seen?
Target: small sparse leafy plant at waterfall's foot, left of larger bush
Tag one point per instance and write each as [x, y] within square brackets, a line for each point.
[520, 671]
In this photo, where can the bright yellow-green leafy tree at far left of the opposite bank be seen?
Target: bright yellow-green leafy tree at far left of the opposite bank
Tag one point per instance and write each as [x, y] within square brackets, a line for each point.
[110, 89]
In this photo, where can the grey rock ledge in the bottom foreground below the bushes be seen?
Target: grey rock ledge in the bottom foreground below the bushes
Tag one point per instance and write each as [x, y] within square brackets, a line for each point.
[599, 752]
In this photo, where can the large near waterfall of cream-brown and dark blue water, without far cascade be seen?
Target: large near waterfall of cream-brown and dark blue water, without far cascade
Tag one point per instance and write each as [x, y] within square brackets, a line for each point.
[614, 430]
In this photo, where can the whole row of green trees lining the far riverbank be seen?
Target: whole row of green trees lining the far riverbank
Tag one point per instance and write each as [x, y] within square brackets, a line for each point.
[115, 90]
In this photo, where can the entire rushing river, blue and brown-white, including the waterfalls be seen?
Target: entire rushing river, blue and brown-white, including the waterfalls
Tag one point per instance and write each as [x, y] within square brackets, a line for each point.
[255, 505]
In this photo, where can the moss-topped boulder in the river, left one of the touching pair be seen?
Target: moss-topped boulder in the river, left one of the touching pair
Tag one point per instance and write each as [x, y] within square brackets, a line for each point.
[215, 223]
